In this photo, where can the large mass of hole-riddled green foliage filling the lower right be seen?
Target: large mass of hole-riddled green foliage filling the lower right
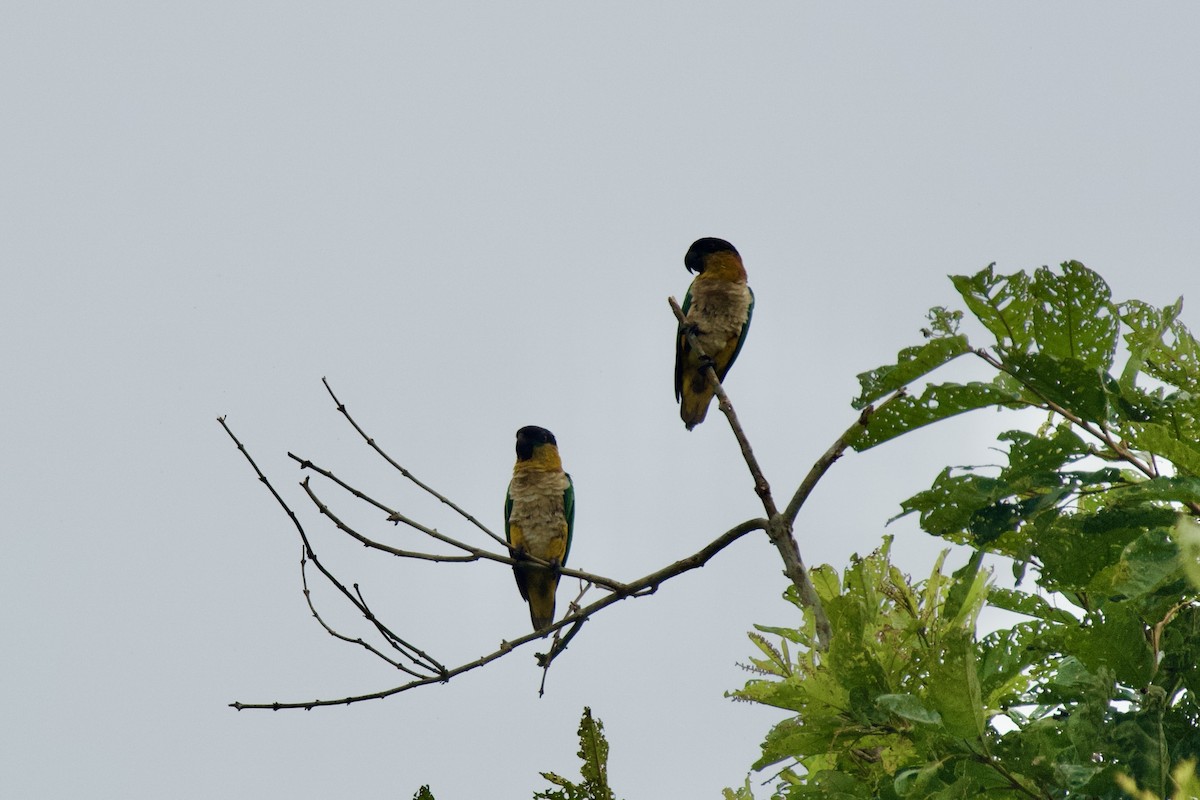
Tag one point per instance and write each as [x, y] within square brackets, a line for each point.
[1097, 682]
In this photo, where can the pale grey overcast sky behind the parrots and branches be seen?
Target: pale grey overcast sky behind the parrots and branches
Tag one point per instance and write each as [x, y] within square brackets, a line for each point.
[469, 218]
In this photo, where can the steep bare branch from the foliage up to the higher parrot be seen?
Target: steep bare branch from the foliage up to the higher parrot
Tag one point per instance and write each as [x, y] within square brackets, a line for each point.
[779, 528]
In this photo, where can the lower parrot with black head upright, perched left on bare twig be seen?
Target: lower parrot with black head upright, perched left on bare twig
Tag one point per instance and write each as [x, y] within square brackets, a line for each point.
[539, 520]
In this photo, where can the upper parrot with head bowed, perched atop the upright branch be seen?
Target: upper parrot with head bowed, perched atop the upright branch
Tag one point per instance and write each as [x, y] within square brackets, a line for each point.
[718, 306]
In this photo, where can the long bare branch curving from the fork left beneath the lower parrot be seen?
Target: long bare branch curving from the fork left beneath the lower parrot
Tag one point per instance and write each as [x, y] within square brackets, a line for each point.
[640, 588]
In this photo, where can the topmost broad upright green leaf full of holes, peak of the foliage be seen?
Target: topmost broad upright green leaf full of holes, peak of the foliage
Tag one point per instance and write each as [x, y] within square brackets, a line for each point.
[1077, 320]
